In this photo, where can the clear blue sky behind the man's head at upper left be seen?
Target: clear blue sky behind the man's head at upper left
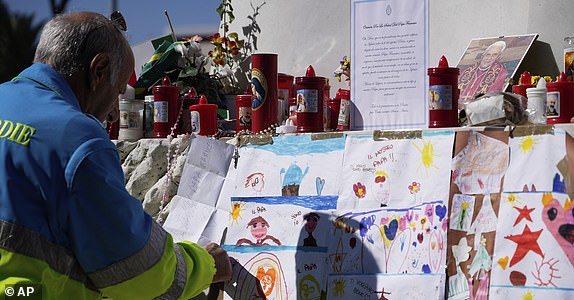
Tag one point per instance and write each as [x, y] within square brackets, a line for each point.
[146, 19]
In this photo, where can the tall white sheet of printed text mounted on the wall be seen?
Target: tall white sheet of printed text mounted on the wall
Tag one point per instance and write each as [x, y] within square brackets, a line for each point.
[388, 50]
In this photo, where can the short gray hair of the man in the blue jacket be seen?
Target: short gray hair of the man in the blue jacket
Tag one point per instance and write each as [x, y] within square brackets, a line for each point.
[68, 43]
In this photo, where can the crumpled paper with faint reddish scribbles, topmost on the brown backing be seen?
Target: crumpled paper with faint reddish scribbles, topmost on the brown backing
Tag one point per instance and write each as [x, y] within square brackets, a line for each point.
[480, 166]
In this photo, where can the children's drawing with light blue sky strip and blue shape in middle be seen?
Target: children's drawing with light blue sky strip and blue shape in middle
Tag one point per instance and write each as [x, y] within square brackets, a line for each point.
[289, 166]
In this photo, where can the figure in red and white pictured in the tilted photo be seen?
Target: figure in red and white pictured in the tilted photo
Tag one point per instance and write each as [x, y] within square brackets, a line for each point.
[487, 75]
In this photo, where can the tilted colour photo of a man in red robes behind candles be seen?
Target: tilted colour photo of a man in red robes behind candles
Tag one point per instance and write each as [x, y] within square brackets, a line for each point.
[488, 64]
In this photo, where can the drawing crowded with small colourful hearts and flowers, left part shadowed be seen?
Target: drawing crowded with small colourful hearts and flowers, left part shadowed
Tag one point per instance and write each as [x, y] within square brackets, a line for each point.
[390, 240]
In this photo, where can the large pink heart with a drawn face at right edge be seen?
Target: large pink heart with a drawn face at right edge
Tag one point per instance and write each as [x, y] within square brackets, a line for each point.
[560, 222]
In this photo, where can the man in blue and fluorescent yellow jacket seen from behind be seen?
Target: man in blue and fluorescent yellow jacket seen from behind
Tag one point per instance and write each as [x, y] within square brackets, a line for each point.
[66, 221]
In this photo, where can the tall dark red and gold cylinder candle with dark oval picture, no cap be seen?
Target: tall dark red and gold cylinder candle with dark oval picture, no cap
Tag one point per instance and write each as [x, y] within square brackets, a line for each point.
[264, 91]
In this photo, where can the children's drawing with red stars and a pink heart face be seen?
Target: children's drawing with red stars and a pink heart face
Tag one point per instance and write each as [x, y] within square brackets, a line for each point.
[531, 249]
